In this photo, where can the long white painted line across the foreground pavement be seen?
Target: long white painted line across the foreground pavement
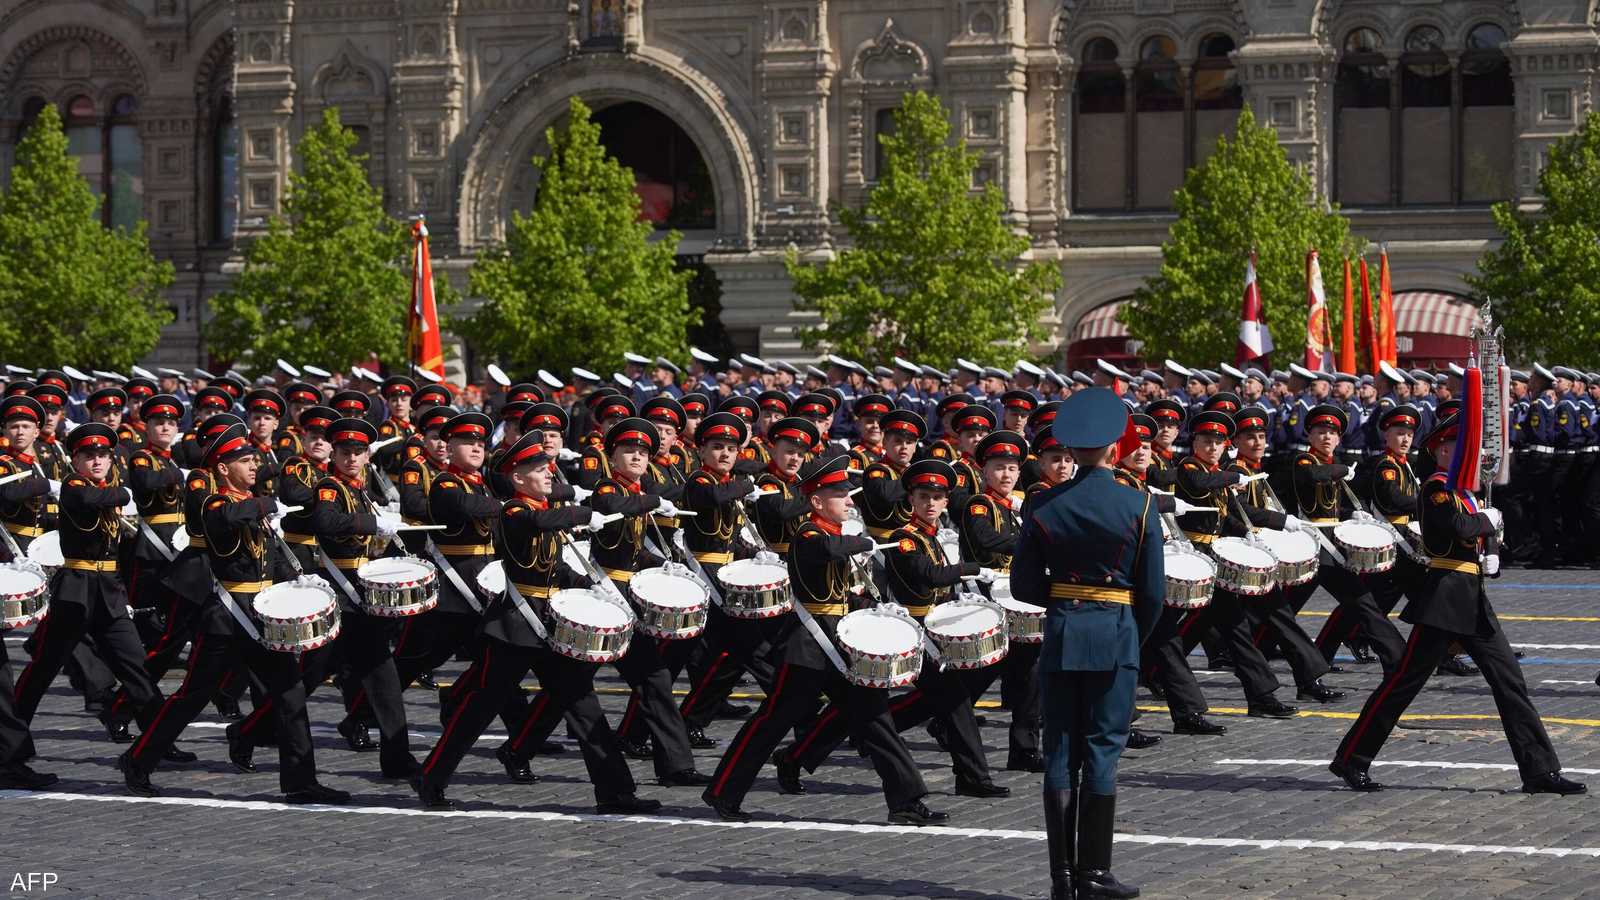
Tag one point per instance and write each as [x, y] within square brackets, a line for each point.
[807, 826]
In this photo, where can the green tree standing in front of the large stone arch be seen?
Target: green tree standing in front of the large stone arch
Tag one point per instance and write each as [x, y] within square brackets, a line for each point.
[580, 279]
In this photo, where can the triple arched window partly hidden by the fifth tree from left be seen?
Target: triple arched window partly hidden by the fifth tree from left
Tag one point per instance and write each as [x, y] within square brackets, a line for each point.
[1135, 140]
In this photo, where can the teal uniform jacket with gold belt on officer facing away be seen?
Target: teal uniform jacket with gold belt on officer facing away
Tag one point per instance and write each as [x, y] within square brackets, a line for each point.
[1090, 536]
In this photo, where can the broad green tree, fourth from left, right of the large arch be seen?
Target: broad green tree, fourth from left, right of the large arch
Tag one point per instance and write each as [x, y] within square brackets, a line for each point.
[932, 271]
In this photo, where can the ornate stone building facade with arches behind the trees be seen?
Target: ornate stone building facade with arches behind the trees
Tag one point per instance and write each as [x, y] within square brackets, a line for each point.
[745, 121]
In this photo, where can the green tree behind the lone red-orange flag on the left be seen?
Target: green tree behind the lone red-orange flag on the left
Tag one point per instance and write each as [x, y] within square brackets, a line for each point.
[330, 279]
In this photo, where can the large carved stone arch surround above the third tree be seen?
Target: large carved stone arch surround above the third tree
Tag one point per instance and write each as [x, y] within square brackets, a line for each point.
[508, 135]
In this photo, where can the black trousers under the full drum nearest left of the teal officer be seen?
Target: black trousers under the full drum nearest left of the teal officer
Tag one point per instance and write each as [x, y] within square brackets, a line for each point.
[946, 697]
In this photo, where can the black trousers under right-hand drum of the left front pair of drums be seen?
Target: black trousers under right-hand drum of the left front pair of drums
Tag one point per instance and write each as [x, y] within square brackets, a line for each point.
[362, 649]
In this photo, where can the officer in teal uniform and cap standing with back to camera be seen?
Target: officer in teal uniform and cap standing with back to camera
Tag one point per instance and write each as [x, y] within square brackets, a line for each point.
[1090, 555]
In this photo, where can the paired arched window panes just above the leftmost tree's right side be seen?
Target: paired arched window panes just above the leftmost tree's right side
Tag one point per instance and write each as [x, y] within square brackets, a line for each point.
[111, 156]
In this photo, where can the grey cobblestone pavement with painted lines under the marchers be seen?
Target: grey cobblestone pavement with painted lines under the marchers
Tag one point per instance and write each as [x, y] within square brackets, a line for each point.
[1249, 814]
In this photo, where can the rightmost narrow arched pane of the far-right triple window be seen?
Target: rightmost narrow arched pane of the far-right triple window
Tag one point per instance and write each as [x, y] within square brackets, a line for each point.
[1487, 118]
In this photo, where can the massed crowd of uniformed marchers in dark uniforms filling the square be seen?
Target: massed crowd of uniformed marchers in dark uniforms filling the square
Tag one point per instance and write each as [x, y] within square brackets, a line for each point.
[305, 478]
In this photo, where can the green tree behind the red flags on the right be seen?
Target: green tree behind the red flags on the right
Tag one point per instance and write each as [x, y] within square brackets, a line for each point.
[1244, 198]
